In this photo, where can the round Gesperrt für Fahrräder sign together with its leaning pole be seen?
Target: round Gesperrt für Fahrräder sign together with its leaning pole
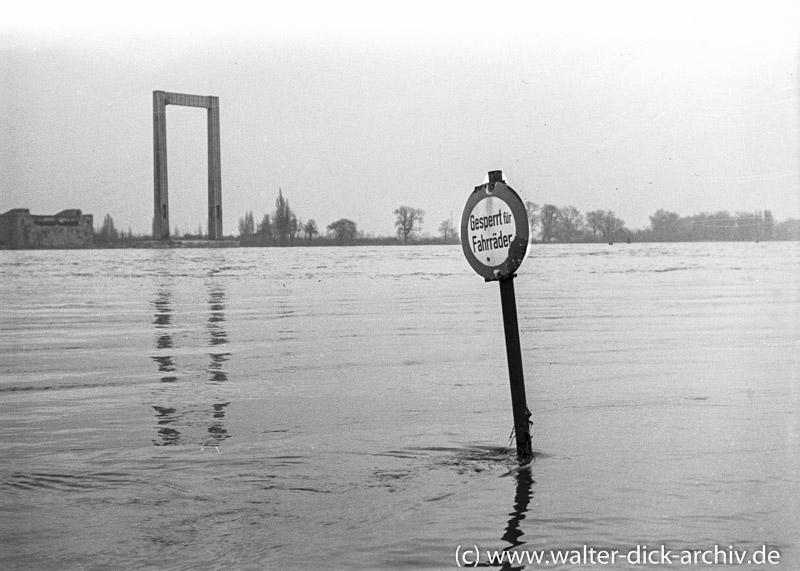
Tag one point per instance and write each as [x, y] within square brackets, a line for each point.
[494, 237]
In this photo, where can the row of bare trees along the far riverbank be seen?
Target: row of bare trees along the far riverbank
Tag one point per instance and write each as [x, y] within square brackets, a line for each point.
[548, 224]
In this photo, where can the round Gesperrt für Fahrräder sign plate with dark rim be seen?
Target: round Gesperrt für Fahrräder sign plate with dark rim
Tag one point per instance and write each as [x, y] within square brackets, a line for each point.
[494, 231]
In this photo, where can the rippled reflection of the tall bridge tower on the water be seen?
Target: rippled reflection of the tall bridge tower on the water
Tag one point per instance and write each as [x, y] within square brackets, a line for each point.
[179, 410]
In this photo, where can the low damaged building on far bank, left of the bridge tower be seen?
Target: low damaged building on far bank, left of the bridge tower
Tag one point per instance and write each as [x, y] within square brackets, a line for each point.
[19, 229]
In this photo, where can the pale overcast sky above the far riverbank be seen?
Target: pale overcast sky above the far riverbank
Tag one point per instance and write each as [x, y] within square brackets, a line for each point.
[354, 109]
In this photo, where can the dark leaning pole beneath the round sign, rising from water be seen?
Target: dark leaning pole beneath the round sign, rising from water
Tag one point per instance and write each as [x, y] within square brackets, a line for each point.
[515, 376]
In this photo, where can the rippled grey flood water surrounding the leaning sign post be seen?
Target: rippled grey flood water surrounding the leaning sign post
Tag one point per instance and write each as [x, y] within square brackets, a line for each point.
[349, 408]
